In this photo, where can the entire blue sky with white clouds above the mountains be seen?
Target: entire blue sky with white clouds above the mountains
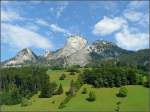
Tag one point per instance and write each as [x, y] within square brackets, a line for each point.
[45, 25]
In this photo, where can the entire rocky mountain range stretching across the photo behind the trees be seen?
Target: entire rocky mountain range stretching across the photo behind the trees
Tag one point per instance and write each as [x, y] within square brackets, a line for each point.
[77, 51]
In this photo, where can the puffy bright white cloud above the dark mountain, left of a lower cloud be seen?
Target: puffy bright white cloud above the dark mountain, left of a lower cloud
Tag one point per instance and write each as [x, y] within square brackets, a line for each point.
[108, 25]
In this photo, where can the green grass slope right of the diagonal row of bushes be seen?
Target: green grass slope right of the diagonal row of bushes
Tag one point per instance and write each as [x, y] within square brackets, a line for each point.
[137, 100]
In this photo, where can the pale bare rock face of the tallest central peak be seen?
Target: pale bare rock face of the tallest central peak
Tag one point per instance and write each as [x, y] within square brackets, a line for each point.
[73, 52]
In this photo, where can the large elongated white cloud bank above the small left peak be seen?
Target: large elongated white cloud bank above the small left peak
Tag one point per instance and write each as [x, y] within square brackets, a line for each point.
[19, 37]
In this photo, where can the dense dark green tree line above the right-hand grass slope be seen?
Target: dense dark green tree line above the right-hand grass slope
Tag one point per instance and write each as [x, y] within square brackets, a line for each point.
[113, 77]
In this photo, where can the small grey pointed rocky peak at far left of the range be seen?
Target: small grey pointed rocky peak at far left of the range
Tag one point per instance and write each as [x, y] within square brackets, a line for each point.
[23, 57]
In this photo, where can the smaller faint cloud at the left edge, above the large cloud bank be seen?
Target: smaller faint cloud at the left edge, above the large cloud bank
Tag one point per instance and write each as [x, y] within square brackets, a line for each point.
[7, 15]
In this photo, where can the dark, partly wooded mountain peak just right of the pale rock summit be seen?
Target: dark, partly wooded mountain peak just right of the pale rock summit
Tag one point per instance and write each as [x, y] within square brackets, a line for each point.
[100, 50]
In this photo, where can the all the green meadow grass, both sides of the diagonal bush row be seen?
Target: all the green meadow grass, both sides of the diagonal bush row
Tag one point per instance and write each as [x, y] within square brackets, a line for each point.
[137, 99]
